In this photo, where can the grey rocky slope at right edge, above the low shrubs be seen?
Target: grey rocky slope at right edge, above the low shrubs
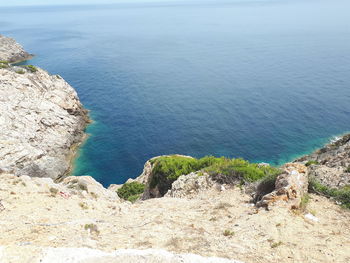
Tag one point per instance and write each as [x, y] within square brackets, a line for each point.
[330, 165]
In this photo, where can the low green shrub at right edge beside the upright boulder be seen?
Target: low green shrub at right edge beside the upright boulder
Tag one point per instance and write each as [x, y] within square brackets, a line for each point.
[341, 195]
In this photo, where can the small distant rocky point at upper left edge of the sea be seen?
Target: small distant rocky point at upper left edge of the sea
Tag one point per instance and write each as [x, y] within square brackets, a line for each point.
[11, 51]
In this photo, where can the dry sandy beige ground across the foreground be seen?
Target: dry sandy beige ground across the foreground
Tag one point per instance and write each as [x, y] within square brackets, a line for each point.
[221, 224]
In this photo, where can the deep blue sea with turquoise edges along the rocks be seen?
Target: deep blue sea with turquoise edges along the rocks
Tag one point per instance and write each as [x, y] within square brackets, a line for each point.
[264, 80]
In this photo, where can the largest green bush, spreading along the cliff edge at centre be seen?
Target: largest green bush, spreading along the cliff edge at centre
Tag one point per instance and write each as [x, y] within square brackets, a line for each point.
[167, 169]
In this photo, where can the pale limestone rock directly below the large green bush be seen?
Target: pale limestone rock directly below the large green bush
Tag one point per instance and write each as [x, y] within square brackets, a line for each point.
[190, 185]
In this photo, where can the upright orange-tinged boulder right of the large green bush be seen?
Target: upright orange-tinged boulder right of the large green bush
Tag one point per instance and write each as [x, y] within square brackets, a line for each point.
[290, 187]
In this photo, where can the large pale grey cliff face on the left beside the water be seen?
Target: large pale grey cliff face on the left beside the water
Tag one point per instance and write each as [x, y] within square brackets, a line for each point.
[41, 122]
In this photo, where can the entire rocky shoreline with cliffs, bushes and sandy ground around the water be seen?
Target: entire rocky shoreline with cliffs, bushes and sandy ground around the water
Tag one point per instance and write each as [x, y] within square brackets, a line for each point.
[213, 210]
